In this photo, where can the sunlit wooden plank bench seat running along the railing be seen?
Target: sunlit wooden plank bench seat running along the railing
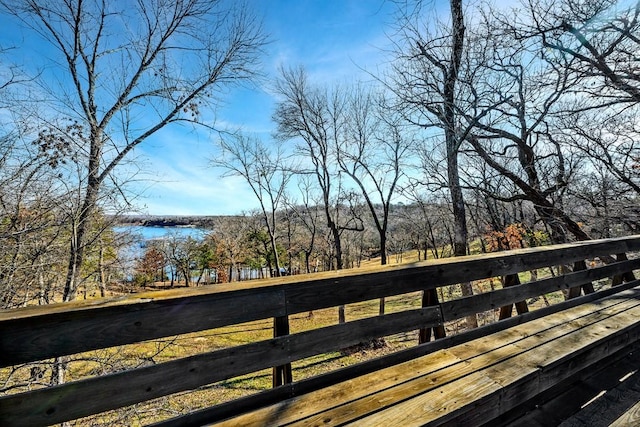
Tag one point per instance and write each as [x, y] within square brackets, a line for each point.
[470, 383]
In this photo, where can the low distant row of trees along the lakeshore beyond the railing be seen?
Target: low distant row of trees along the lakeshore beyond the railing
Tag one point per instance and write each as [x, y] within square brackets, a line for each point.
[238, 247]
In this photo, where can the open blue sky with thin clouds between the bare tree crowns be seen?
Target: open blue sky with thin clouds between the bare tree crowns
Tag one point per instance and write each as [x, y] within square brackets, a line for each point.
[333, 39]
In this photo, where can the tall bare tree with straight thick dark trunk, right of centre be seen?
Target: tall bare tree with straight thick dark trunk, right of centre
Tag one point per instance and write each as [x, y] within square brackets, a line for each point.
[426, 80]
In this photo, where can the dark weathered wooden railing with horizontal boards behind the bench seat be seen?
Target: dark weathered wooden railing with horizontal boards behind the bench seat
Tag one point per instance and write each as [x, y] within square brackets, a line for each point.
[39, 333]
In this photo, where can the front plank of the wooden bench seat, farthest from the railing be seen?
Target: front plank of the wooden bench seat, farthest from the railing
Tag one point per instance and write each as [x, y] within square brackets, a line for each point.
[525, 370]
